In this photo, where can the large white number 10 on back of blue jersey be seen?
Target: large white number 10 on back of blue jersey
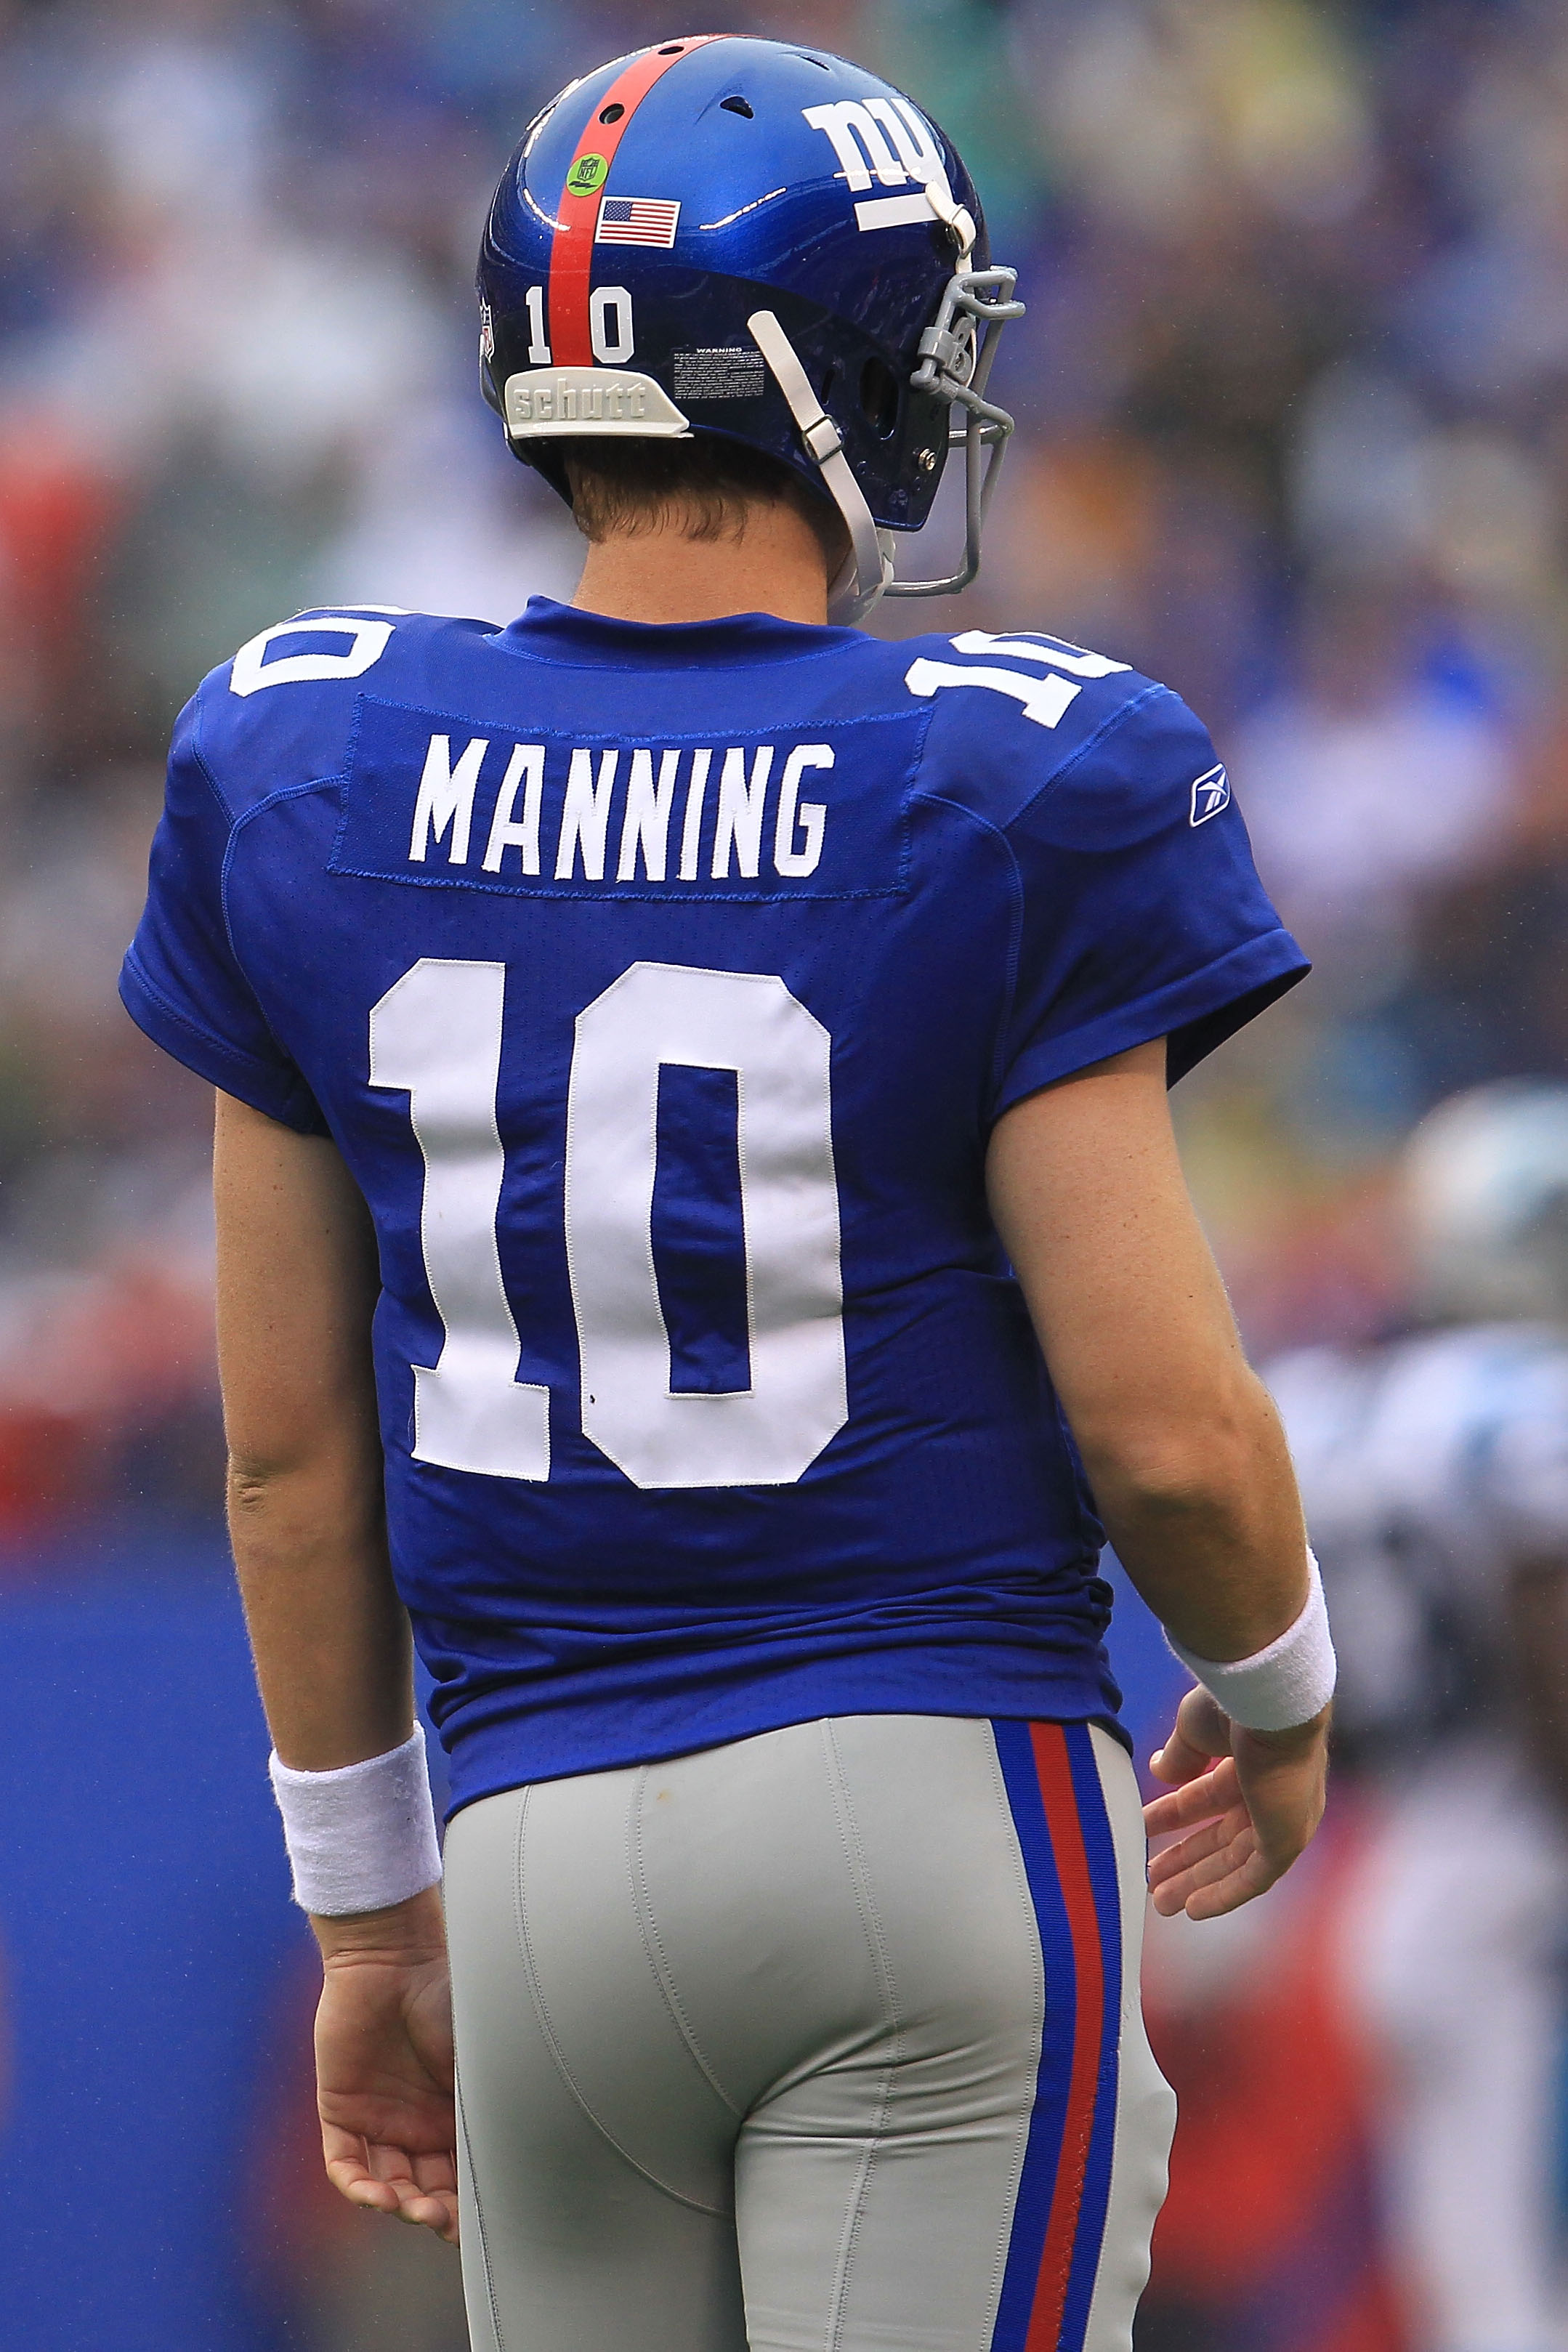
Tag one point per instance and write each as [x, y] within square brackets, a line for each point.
[436, 1036]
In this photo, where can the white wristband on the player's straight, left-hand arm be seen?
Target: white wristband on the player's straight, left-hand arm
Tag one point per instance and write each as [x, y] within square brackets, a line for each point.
[361, 1836]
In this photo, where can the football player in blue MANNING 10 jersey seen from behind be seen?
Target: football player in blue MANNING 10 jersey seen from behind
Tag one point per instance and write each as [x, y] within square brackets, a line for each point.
[702, 1243]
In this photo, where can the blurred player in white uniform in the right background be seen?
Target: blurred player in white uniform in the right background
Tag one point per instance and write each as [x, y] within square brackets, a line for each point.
[1435, 1476]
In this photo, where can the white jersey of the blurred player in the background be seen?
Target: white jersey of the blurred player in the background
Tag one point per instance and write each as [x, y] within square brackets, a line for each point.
[1428, 1469]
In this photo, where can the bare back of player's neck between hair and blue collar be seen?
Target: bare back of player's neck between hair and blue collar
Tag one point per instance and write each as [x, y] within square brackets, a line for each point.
[772, 566]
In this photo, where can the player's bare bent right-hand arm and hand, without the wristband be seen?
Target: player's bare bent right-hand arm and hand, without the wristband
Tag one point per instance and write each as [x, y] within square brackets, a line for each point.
[1181, 1445]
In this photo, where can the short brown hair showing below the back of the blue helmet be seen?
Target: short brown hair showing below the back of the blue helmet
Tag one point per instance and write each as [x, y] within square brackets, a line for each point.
[699, 488]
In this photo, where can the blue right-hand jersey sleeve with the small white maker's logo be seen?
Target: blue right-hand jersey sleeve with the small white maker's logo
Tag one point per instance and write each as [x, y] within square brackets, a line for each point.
[1144, 914]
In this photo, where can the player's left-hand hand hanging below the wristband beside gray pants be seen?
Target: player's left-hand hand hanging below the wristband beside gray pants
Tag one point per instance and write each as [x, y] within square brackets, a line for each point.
[384, 2064]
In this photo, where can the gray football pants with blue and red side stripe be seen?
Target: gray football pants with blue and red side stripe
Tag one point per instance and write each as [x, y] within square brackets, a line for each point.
[826, 2040]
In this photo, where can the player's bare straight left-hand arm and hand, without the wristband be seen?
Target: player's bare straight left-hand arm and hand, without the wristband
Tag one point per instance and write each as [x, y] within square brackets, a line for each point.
[297, 1290]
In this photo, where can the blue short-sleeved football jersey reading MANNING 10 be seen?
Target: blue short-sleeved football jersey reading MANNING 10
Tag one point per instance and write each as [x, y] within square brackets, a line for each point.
[662, 989]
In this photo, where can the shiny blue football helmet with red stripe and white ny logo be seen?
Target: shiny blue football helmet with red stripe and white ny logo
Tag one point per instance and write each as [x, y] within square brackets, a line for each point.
[765, 243]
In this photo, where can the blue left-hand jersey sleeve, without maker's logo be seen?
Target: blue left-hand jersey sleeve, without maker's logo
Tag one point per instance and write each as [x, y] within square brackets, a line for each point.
[182, 982]
